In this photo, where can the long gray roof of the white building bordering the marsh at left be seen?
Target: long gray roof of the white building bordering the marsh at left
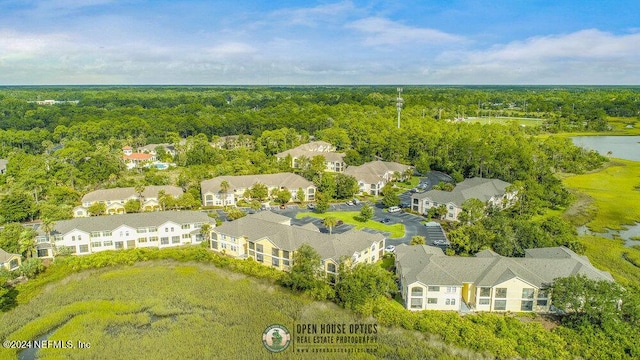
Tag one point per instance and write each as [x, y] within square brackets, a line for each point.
[146, 219]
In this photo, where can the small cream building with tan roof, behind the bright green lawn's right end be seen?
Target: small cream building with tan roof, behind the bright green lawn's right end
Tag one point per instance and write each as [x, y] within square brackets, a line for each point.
[374, 175]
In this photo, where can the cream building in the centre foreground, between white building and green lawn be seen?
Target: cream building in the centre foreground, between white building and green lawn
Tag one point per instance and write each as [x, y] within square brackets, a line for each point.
[271, 240]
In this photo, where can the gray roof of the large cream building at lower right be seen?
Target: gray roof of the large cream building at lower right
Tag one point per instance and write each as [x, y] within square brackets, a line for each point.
[429, 265]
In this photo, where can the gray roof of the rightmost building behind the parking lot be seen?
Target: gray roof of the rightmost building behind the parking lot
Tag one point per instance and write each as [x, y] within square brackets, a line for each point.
[475, 188]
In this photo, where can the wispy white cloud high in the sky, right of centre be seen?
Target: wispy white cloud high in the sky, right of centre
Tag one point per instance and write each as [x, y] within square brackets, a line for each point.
[381, 31]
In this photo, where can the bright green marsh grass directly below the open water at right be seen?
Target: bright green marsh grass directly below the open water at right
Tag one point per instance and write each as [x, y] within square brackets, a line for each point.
[614, 194]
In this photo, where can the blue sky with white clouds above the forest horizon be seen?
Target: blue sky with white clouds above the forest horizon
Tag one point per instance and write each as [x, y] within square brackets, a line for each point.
[323, 42]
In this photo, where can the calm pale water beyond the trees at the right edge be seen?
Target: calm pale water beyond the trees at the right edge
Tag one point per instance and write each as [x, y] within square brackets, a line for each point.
[622, 147]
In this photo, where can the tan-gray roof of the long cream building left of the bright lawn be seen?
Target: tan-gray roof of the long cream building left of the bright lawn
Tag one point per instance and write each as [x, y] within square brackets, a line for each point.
[287, 180]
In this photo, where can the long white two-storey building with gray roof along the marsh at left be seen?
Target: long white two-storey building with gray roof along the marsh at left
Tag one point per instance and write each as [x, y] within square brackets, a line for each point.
[153, 229]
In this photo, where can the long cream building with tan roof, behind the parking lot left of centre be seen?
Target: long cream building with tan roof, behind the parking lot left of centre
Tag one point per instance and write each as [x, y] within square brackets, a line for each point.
[227, 190]
